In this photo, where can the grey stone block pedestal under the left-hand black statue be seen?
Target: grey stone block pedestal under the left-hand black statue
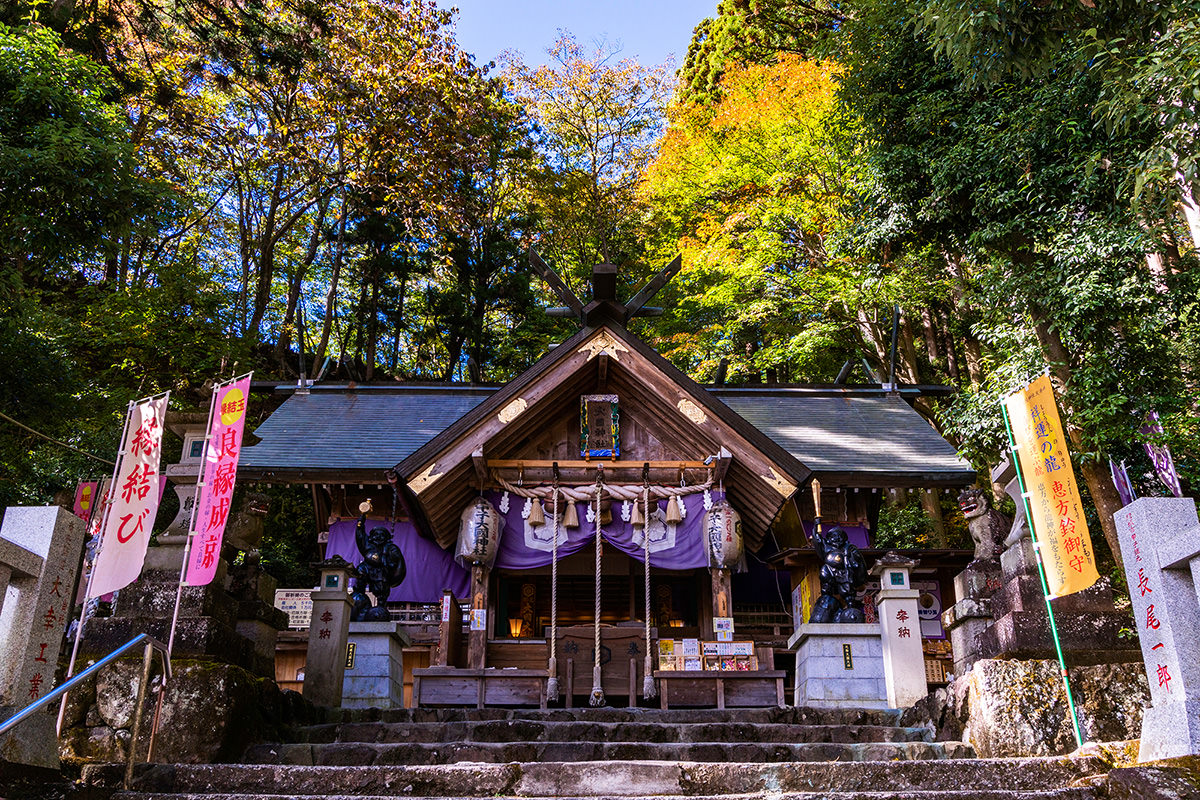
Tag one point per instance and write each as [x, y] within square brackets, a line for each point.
[376, 678]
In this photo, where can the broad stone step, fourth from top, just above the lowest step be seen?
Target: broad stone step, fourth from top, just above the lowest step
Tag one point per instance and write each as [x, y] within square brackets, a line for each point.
[609, 779]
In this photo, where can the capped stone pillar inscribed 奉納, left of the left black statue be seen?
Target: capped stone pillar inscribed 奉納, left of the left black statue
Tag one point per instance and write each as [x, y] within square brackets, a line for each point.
[326, 666]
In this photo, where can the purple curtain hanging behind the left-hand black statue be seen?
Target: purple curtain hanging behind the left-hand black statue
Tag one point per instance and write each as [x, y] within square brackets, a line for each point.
[431, 569]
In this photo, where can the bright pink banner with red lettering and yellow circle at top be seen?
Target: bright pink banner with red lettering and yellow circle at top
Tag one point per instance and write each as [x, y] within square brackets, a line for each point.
[220, 473]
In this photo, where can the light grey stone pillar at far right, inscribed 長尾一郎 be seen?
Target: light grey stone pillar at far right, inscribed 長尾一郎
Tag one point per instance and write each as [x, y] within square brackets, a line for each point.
[1161, 550]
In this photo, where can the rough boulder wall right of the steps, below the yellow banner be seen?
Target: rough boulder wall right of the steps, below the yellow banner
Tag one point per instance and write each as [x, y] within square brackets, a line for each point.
[1011, 709]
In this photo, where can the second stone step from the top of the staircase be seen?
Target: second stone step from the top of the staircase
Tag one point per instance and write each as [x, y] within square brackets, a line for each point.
[506, 731]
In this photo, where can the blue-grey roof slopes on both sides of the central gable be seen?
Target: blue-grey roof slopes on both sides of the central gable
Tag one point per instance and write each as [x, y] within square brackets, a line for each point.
[374, 429]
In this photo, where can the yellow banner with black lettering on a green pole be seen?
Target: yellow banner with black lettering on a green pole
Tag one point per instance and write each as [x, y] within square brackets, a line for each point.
[1054, 495]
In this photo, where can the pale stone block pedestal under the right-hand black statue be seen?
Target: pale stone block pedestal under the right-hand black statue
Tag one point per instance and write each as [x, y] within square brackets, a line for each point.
[839, 666]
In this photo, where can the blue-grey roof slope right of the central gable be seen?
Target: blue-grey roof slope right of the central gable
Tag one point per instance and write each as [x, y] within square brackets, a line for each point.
[865, 434]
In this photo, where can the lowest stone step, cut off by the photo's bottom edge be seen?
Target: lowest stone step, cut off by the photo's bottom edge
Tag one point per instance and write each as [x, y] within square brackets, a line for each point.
[914, 795]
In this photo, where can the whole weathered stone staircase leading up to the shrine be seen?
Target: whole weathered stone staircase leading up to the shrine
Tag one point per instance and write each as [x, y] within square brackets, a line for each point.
[794, 754]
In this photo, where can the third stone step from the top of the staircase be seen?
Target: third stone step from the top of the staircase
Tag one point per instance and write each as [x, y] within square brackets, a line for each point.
[356, 754]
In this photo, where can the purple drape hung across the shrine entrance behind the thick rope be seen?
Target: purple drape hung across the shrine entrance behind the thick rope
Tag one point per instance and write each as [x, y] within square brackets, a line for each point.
[686, 554]
